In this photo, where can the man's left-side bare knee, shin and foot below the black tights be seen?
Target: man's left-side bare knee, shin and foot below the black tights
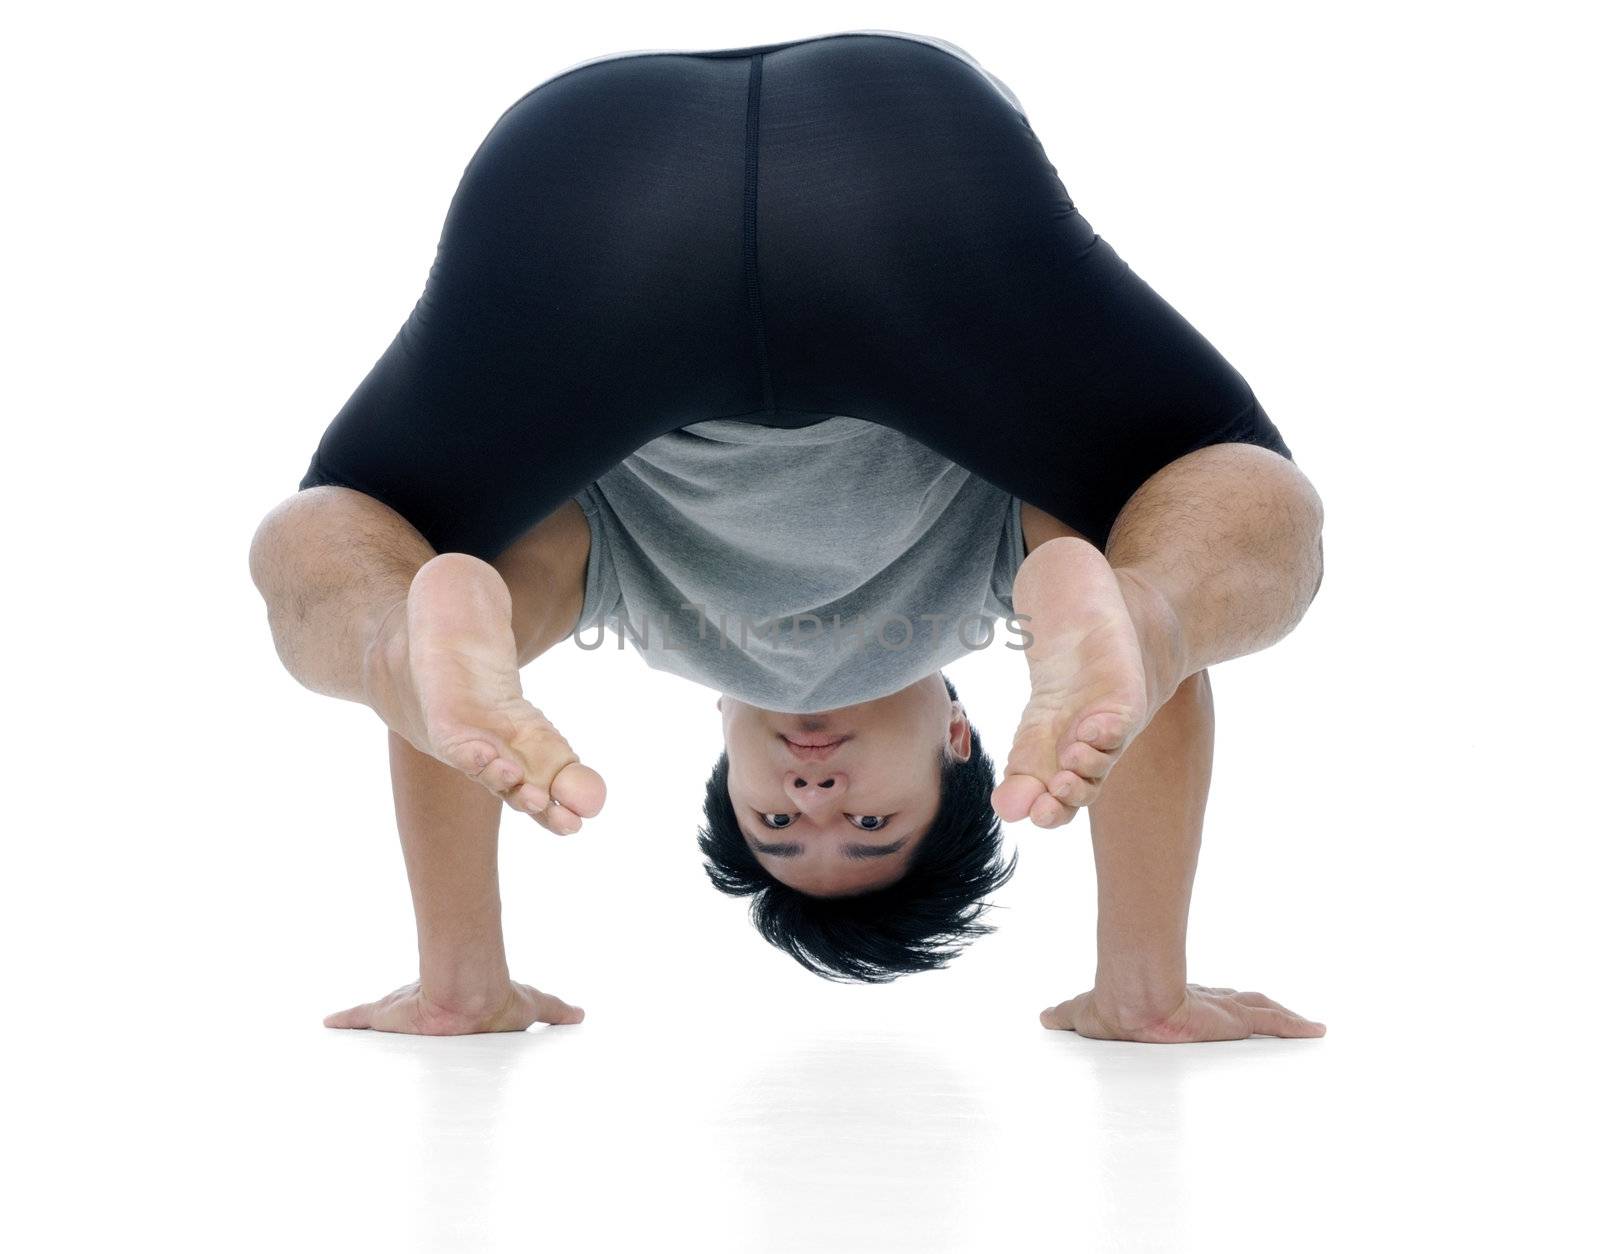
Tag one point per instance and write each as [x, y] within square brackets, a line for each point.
[362, 609]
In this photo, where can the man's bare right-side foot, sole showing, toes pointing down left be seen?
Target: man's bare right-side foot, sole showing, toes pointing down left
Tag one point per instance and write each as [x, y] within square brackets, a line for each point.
[1103, 661]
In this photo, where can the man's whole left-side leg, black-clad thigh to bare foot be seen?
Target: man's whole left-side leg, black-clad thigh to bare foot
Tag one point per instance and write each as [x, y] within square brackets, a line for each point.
[566, 322]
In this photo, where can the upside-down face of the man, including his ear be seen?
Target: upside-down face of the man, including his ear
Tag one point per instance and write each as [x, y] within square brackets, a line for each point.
[836, 802]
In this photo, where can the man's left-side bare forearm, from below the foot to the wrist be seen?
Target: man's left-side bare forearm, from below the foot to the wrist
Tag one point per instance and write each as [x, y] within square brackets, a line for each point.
[450, 837]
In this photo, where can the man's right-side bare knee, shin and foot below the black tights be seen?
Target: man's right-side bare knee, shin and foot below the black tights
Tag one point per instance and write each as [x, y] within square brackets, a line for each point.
[1214, 557]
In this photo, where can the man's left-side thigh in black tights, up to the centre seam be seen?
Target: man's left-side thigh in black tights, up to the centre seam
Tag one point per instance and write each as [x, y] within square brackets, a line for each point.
[586, 295]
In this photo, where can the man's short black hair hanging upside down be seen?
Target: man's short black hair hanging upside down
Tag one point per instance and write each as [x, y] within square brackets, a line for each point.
[916, 924]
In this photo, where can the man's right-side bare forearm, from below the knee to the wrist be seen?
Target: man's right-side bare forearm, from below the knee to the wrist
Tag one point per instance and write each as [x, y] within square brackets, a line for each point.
[1146, 833]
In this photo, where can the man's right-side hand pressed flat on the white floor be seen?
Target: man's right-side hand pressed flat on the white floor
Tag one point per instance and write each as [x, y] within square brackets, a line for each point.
[1204, 1015]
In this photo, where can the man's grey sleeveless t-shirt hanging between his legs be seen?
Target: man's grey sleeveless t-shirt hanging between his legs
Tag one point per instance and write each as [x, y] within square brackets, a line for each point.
[798, 570]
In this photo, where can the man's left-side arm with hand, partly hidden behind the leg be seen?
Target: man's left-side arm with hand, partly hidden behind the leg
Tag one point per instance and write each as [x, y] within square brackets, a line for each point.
[450, 831]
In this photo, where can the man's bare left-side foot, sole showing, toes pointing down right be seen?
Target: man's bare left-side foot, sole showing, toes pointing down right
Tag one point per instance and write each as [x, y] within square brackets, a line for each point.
[442, 673]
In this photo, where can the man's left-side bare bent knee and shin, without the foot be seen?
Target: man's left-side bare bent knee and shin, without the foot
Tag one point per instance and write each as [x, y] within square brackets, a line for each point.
[332, 564]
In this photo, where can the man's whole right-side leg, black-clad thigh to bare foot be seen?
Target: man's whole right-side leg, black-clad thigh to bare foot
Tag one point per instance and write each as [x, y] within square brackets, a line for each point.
[958, 295]
